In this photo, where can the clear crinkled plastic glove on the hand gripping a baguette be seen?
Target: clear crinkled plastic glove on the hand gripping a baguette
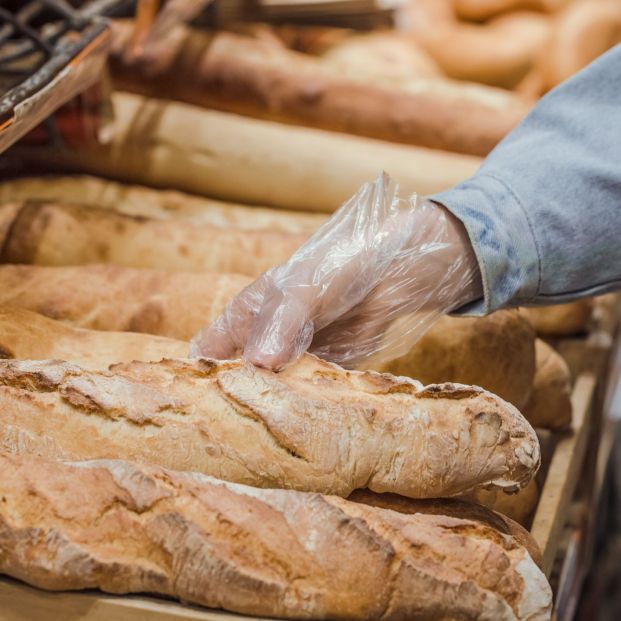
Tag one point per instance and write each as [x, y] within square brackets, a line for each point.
[378, 259]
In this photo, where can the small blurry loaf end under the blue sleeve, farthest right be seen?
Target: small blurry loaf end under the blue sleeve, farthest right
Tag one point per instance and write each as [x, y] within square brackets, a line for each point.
[560, 319]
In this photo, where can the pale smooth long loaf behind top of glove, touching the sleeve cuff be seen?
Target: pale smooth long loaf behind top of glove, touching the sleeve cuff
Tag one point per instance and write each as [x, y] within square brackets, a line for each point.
[169, 144]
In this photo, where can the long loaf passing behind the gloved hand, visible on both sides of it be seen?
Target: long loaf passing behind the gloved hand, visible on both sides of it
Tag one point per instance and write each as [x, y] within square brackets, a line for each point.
[495, 352]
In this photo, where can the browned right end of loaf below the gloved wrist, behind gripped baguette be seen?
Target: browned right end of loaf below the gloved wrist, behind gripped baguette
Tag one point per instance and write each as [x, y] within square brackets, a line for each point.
[495, 352]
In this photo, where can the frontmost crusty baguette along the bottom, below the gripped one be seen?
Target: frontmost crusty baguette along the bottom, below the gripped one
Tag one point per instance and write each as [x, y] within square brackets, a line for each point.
[124, 528]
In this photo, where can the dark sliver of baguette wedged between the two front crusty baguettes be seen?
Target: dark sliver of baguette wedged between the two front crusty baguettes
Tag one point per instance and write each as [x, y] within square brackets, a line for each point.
[458, 508]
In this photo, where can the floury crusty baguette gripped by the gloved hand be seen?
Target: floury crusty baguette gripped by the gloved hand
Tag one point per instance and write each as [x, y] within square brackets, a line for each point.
[312, 427]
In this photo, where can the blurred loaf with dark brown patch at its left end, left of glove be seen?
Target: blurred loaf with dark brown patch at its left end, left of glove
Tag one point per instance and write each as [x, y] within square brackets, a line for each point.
[48, 233]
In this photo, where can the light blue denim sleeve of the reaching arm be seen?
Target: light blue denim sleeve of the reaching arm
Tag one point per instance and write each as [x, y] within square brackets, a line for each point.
[544, 210]
